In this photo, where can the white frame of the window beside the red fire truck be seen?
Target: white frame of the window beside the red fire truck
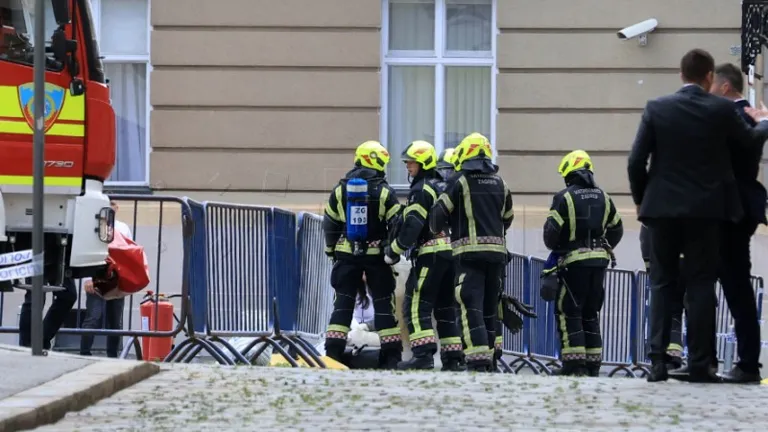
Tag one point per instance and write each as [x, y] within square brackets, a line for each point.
[122, 59]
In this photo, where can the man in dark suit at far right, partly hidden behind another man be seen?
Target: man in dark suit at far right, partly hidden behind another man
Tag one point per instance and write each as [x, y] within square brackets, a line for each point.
[736, 266]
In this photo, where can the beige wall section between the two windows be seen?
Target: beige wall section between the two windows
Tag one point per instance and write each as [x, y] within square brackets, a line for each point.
[261, 95]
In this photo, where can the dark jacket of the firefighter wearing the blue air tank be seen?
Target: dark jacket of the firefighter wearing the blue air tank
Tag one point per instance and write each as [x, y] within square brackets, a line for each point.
[383, 206]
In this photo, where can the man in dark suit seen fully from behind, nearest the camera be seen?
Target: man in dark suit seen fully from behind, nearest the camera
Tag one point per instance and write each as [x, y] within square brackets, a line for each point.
[685, 197]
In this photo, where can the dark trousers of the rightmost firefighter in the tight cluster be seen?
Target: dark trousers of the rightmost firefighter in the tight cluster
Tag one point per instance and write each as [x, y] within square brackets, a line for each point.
[478, 285]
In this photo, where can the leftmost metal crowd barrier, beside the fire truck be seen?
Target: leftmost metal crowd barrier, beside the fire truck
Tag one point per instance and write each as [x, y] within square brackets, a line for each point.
[156, 246]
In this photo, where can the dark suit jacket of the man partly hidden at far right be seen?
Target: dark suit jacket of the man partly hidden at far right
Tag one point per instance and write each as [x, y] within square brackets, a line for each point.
[746, 167]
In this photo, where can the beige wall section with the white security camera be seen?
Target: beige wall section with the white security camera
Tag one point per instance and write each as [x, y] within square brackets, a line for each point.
[566, 81]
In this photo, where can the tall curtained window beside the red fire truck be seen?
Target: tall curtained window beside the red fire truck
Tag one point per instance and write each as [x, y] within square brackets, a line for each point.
[122, 29]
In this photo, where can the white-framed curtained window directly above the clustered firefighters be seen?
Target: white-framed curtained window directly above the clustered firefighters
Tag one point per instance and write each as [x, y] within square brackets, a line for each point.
[438, 74]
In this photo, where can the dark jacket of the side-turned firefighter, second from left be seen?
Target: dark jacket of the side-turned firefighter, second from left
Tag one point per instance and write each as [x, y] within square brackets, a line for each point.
[414, 231]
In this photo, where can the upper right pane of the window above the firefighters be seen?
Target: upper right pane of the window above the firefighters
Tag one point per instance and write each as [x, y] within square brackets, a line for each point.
[468, 25]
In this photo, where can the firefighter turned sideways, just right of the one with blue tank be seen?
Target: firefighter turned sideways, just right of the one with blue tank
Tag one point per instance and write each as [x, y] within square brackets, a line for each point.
[430, 283]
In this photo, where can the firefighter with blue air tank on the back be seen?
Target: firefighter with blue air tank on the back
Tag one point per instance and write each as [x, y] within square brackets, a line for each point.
[358, 258]
